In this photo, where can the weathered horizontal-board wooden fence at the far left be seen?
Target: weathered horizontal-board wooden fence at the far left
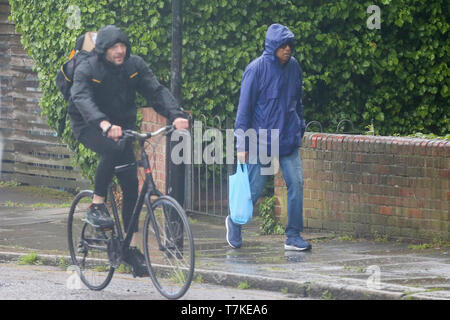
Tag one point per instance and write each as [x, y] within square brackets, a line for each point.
[31, 153]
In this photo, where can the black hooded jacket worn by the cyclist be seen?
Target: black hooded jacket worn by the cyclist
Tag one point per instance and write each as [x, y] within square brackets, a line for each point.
[104, 91]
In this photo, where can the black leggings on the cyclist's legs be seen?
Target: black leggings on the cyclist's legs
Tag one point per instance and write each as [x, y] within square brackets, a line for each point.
[110, 156]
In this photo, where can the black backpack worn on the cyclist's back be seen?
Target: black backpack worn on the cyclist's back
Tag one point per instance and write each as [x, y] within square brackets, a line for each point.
[64, 78]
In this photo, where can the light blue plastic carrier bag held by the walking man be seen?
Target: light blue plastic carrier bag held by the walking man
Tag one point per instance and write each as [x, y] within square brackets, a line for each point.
[240, 197]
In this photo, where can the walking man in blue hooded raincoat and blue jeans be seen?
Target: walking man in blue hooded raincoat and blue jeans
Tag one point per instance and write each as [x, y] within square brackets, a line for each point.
[271, 99]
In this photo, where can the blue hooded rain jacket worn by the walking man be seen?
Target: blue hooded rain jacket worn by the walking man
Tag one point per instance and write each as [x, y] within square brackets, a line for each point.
[271, 96]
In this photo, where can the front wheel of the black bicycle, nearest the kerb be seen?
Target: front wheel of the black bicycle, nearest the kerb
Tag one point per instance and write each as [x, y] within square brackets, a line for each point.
[169, 247]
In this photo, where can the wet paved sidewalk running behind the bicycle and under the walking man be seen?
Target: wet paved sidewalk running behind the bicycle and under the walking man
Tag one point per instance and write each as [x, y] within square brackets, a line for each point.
[338, 267]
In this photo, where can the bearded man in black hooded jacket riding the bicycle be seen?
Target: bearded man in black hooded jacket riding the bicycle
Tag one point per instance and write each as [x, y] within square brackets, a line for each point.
[102, 105]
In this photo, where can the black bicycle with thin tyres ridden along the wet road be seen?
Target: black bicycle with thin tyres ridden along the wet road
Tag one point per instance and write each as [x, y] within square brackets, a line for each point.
[168, 244]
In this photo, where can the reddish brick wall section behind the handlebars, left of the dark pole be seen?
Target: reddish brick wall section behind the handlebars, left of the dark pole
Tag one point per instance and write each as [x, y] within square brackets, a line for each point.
[152, 122]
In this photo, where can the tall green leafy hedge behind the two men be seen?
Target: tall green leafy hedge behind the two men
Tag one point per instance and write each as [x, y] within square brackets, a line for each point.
[396, 76]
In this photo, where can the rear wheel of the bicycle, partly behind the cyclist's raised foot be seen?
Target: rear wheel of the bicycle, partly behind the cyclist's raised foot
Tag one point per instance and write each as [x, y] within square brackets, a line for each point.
[88, 246]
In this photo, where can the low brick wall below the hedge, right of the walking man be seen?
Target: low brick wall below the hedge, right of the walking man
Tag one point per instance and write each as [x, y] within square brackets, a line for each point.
[374, 186]
